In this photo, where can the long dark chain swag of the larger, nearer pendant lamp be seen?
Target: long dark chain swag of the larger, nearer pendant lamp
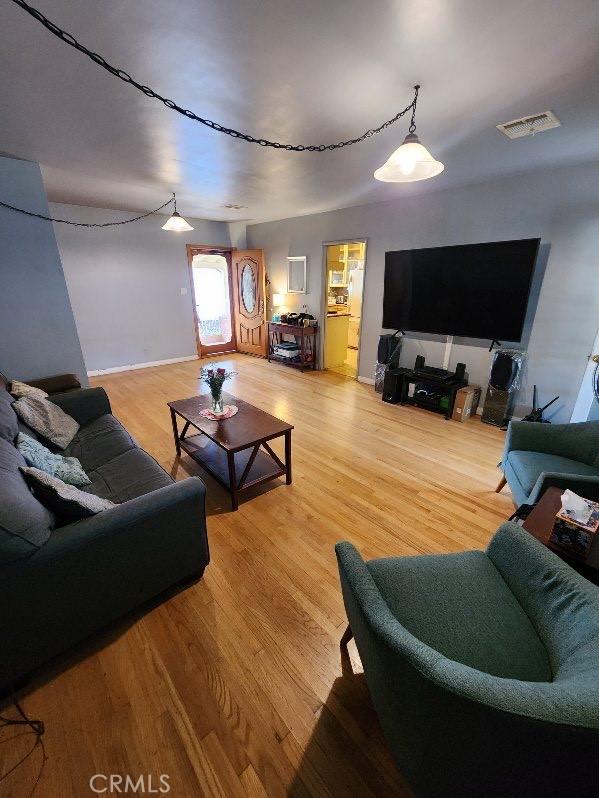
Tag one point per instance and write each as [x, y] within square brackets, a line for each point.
[126, 78]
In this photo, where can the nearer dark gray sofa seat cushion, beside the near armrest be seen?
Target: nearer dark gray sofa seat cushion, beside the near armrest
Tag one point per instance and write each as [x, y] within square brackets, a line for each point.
[133, 473]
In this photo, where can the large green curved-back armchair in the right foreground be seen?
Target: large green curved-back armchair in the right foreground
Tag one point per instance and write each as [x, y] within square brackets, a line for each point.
[483, 667]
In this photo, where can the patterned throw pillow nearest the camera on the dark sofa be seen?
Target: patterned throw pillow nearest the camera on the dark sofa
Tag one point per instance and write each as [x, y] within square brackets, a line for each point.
[65, 501]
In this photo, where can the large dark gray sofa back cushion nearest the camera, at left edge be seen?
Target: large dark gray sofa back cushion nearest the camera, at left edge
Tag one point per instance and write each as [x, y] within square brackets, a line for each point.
[25, 524]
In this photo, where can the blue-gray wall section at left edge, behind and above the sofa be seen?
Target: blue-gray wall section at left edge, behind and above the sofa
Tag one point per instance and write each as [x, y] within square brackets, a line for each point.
[38, 332]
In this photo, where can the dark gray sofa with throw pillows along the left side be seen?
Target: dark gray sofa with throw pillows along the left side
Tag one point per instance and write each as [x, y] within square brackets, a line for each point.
[62, 582]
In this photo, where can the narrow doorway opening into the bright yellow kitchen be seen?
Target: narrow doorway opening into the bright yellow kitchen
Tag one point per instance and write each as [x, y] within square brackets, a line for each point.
[344, 265]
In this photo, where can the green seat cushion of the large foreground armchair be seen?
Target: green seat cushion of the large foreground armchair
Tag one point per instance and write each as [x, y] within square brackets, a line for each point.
[483, 627]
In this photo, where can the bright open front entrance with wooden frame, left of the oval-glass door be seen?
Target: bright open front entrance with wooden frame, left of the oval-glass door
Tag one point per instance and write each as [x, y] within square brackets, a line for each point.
[210, 272]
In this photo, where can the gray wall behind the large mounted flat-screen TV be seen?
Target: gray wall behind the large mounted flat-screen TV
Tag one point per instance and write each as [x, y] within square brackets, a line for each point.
[561, 206]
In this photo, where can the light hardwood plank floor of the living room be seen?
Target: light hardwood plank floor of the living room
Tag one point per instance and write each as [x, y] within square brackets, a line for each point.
[234, 687]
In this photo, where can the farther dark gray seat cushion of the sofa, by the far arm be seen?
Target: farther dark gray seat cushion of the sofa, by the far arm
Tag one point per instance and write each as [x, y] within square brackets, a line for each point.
[99, 442]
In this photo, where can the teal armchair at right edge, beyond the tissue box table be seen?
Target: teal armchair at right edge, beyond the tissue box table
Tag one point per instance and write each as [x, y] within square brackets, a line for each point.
[537, 456]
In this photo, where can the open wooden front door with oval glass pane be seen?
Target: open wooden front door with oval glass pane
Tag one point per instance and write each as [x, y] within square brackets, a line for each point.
[249, 304]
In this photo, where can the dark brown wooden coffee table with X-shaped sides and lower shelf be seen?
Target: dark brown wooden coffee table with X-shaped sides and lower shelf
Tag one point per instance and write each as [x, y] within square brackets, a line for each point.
[233, 446]
